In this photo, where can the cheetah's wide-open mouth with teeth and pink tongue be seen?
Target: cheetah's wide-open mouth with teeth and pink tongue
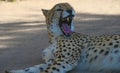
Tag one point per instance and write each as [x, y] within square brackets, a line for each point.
[65, 25]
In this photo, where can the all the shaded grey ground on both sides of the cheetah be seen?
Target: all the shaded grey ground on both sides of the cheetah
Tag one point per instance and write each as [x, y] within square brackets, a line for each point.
[22, 42]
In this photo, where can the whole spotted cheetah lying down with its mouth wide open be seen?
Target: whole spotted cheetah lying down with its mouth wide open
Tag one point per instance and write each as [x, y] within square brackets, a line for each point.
[69, 49]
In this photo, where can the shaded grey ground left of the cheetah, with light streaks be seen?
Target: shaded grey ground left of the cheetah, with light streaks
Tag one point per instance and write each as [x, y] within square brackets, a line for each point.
[21, 44]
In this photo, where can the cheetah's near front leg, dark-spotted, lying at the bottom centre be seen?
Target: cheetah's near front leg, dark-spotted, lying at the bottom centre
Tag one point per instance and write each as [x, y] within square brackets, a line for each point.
[59, 66]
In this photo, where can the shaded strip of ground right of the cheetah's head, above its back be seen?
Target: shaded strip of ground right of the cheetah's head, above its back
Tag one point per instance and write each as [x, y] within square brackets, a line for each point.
[98, 24]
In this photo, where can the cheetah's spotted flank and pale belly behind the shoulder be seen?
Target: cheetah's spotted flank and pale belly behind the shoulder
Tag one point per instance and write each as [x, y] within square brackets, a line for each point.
[101, 53]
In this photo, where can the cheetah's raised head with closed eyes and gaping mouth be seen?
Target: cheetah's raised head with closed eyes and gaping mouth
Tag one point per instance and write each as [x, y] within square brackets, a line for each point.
[59, 20]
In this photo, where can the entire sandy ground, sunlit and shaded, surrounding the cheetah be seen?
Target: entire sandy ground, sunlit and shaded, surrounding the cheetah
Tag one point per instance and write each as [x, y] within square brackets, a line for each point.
[23, 33]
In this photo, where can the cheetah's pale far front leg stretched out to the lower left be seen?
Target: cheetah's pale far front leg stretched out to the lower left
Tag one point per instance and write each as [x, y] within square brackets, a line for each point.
[48, 54]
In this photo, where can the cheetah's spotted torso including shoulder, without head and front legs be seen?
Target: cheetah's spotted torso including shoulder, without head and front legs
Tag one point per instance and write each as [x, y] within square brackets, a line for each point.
[96, 53]
